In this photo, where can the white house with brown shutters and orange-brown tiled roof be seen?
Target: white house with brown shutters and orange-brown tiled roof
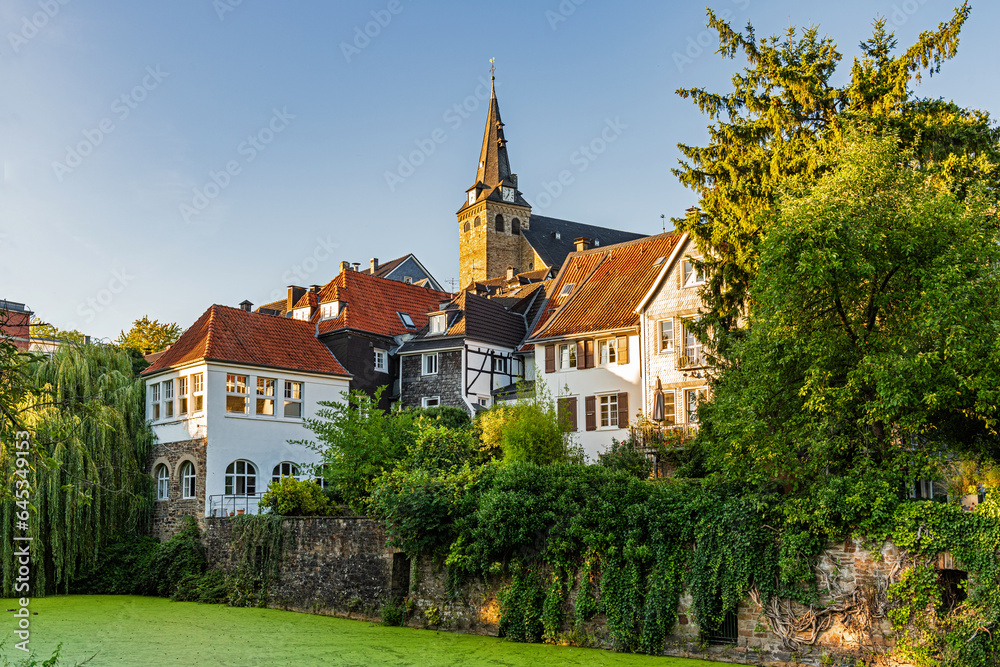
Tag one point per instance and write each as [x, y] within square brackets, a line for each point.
[587, 337]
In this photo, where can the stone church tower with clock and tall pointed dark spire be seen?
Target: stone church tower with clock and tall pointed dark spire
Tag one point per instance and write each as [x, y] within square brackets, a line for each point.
[494, 213]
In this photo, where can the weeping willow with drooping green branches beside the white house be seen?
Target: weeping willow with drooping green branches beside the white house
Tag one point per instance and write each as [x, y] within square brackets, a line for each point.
[90, 444]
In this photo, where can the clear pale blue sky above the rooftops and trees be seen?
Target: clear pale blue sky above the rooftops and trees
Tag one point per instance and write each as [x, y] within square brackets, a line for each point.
[162, 157]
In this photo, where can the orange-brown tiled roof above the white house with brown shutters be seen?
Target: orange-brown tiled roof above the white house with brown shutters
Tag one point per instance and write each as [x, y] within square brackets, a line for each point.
[606, 285]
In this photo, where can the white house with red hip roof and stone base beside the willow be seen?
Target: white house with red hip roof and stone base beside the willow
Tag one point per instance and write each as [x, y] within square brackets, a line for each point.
[224, 401]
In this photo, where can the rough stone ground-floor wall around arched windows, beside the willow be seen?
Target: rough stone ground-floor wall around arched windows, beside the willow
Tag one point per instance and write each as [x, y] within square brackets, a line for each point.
[167, 514]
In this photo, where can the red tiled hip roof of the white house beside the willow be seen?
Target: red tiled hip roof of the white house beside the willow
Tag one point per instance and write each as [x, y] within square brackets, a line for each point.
[233, 335]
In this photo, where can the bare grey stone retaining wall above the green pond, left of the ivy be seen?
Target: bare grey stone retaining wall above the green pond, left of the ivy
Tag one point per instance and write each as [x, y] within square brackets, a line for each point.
[331, 565]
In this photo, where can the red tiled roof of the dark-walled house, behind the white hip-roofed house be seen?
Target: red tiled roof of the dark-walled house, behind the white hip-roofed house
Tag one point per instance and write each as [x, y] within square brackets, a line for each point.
[374, 304]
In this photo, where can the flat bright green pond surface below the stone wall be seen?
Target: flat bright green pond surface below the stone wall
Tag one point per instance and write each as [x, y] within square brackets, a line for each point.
[129, 630]
